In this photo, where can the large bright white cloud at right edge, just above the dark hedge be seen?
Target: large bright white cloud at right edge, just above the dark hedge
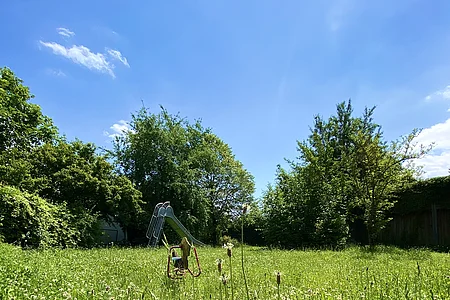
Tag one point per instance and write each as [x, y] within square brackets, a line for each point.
[437, 162]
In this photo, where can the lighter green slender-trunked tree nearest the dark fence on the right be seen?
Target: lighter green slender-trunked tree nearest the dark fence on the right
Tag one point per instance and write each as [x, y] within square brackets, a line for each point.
[379, 171]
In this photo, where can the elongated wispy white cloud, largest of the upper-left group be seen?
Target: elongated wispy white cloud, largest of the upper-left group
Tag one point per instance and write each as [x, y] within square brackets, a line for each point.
[82, 56]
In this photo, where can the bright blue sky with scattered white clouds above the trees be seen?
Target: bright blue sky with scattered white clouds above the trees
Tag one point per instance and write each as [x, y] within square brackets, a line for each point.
[254, 71]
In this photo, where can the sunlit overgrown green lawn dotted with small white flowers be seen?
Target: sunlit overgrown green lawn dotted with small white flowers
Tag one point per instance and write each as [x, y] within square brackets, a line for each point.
[120, 273]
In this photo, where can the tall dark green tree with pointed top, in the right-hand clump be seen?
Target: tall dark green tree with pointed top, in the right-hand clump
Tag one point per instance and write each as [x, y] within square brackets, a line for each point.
[324, 163]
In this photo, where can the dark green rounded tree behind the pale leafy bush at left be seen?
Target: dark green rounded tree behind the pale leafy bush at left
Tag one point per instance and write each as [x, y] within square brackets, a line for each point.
[73, 174]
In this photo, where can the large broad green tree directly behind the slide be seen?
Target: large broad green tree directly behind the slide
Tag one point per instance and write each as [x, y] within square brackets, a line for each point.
[171, 159]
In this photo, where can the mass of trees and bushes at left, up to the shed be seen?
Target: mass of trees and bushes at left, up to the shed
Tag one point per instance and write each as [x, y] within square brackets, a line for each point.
[65, 183]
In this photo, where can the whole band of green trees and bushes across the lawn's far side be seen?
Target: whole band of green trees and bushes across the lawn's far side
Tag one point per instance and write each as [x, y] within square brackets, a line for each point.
[55, 192]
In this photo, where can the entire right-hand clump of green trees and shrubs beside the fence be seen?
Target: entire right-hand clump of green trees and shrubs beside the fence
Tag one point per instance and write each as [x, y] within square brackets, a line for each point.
[344, 167]
